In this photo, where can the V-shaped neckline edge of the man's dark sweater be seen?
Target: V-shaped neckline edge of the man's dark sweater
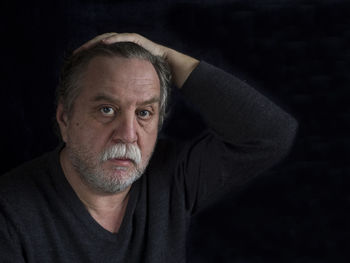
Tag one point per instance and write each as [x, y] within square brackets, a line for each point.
[79, 210]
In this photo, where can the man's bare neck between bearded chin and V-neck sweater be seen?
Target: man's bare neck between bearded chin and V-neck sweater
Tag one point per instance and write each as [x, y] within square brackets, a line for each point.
[107, 209]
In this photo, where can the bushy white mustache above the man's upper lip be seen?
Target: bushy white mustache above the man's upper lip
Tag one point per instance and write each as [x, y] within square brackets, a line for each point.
[122, 151]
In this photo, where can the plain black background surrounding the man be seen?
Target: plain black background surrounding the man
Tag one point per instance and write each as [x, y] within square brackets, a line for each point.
[295, 52]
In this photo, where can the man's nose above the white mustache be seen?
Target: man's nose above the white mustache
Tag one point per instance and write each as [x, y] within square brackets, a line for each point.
[125, 129]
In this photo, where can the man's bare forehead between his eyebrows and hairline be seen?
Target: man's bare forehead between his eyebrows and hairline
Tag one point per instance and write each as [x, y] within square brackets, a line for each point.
[120, 76]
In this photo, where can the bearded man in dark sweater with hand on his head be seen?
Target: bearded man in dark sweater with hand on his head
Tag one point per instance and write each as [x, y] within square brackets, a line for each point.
[112, 192]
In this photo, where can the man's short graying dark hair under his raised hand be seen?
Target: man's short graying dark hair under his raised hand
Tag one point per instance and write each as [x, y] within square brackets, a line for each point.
[74, 66]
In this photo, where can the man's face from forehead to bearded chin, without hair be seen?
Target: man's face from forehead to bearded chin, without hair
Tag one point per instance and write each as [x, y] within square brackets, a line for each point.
[118, 105]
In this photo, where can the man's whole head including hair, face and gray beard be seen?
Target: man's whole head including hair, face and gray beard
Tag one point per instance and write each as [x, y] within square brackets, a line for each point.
[111, 103]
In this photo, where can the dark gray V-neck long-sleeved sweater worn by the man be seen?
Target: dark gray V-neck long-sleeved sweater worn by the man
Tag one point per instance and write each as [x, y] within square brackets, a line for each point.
[43, 220]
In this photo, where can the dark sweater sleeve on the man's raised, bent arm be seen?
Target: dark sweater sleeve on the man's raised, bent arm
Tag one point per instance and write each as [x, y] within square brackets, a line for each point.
[247, 134]
